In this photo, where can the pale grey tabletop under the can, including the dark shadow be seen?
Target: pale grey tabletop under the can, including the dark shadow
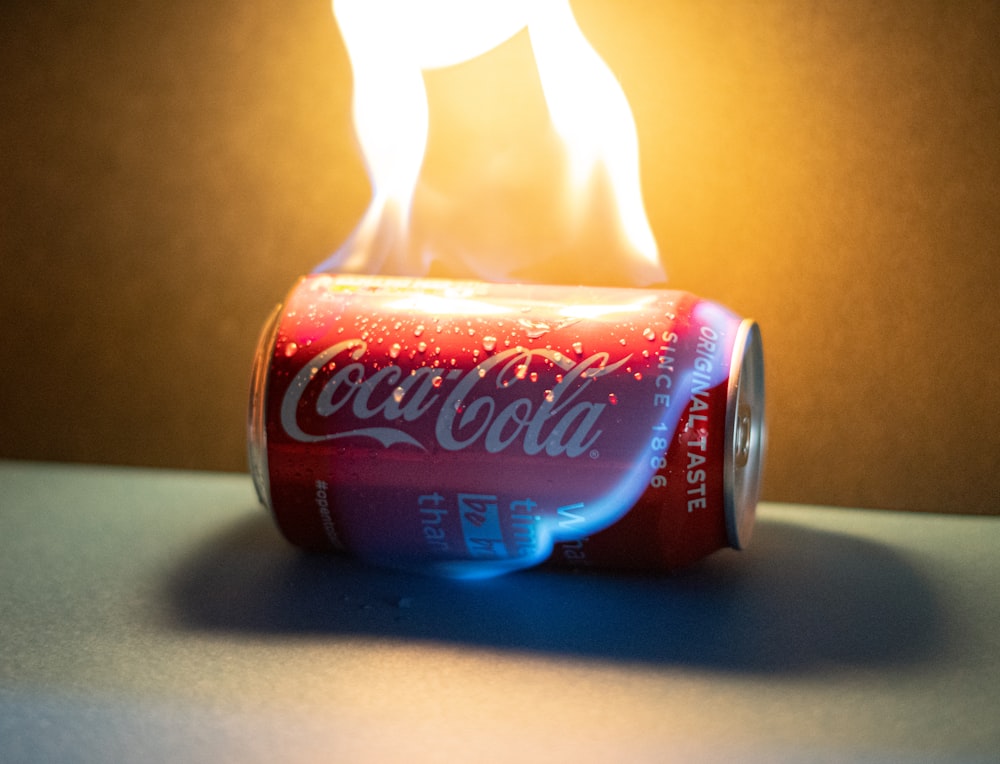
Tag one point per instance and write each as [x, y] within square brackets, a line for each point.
[158, 616]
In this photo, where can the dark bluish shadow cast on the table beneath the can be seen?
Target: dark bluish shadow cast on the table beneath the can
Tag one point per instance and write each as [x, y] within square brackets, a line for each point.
[799, 599]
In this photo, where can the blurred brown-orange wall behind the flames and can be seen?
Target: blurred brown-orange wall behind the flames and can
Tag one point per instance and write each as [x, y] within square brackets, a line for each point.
[167, 171]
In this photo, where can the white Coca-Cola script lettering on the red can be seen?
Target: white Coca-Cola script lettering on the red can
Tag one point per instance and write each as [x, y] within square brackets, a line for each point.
[557, 420]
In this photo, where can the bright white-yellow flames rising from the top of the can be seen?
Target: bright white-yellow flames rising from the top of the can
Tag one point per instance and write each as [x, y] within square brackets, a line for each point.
[592, 227]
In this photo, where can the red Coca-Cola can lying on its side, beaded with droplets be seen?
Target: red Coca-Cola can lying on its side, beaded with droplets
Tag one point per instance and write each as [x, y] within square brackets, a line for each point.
[470, 429]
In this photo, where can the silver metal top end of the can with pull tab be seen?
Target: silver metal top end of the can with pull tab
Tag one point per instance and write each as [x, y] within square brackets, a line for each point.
[745, 434]
